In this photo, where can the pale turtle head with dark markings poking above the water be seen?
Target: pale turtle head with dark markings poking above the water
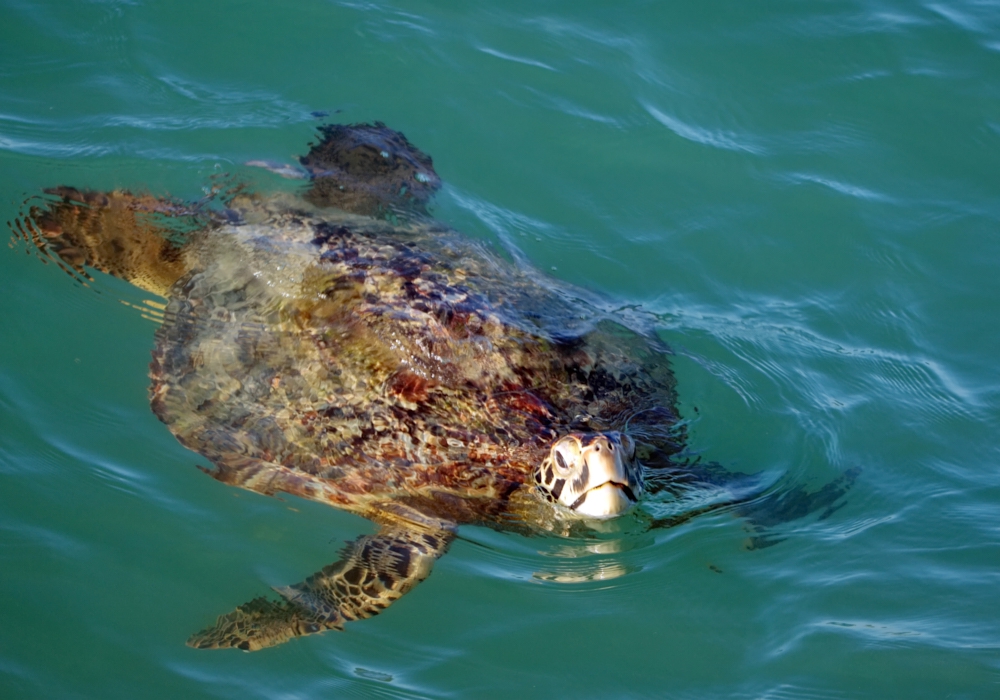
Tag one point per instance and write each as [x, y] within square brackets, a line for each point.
[593, 474]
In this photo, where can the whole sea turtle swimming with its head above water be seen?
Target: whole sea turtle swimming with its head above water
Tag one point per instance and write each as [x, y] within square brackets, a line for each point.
[340, 346]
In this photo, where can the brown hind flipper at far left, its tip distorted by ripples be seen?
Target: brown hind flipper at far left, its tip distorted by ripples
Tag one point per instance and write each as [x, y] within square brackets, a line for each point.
[138, 238]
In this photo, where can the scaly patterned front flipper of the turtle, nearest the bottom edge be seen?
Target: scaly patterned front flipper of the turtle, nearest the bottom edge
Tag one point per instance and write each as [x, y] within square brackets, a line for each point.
[373, 573]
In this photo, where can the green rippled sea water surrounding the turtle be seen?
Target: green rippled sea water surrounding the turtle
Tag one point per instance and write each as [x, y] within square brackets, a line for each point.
[803, 198]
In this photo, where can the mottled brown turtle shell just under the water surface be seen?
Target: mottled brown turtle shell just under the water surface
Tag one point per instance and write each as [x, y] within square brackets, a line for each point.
[359, 362]
